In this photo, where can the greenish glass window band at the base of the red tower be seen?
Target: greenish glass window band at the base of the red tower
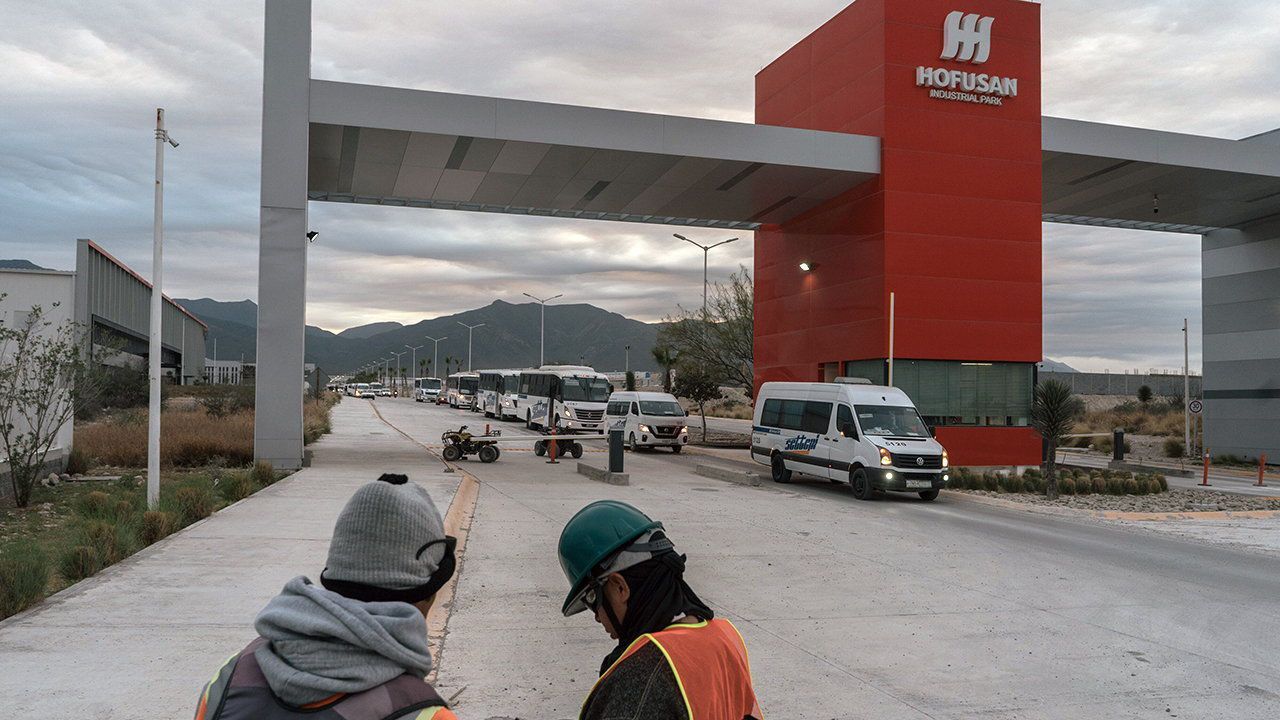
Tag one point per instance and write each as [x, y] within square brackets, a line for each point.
[962, 394]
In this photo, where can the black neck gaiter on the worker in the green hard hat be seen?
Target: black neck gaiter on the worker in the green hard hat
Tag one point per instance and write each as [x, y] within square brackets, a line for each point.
[659, 595]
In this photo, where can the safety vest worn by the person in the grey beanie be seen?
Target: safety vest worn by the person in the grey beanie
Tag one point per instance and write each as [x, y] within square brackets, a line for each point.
[239, 691]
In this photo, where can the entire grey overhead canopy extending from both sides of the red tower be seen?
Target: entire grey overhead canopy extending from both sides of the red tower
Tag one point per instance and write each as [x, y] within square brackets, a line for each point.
[412, 148]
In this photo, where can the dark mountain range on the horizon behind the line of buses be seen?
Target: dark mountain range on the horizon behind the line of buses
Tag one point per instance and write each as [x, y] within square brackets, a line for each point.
[575, 334]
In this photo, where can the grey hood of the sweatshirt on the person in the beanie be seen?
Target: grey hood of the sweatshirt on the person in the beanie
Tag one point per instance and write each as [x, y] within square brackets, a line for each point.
[322, 644]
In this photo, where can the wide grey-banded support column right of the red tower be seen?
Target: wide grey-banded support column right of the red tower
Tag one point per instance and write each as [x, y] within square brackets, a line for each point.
[1241, 300]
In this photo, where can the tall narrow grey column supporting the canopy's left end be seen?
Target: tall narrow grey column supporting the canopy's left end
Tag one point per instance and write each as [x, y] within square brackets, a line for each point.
[282, 266]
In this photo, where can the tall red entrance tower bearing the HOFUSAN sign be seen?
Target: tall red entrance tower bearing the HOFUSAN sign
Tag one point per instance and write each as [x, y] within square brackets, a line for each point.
[952, 226]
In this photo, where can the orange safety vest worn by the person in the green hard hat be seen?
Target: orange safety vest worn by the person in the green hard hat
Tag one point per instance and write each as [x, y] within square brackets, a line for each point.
[711, 667]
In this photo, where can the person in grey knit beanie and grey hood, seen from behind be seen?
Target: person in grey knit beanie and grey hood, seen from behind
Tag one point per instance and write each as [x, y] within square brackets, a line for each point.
[358, 646]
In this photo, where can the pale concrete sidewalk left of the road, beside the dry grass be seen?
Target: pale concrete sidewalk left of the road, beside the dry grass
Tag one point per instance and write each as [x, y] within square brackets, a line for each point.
[140, 640]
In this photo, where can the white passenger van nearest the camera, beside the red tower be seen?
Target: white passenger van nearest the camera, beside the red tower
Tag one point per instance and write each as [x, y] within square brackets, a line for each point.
[848, 431]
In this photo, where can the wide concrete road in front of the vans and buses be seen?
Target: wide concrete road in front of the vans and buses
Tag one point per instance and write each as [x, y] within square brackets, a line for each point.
[890, 609]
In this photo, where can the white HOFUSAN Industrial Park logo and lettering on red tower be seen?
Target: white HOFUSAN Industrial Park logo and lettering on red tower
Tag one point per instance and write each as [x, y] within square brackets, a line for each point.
[966, 39]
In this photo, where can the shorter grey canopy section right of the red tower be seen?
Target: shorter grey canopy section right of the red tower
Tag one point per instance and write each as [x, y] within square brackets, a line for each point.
[1103, 175]
